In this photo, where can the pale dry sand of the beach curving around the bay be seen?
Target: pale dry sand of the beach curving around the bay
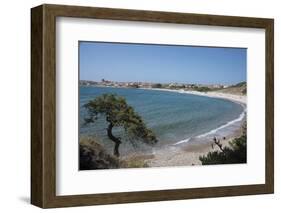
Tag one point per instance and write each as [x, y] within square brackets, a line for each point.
[186, 152]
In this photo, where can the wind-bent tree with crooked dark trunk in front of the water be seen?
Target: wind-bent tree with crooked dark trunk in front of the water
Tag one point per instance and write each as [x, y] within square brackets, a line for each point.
[119, 114]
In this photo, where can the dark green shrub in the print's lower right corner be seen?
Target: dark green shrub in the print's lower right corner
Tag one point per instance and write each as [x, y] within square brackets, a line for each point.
[236, 153]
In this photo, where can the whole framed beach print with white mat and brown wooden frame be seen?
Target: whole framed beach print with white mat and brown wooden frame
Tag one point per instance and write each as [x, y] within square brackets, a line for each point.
[137, 106]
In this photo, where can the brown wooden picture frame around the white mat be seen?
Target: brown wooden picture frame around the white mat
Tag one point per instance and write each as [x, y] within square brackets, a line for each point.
[43, 105]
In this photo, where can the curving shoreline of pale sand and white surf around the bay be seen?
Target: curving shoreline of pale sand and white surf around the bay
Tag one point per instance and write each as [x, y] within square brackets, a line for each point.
[187, 152]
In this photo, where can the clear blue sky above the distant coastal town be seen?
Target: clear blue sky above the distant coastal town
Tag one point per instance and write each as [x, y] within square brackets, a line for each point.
[161, 63]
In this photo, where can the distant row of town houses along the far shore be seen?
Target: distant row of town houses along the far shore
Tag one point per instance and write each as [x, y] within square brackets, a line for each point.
[107, 83]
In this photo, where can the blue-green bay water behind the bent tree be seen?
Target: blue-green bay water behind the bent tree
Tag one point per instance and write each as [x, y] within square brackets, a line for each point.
[174, 117]
